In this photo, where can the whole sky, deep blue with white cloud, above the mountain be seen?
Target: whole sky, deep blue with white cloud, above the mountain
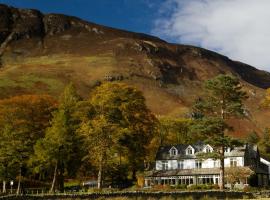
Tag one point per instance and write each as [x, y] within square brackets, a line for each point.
[238, 29]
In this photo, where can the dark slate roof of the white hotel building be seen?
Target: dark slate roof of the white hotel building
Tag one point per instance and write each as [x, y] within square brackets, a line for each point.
[164, 154]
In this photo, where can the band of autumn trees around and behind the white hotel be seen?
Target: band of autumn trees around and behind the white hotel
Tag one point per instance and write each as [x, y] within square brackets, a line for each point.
[112, 136]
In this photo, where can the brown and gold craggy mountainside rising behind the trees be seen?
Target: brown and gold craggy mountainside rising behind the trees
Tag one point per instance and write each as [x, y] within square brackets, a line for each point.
[41, 53]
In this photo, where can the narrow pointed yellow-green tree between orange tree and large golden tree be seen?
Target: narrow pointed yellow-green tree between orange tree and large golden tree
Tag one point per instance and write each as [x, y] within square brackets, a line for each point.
[57, 147]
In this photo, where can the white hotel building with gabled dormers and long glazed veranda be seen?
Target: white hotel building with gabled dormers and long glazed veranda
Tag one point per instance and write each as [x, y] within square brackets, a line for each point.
[178, 164]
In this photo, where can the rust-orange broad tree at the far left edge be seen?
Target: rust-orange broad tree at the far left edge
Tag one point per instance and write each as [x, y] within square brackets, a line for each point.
[23, 119]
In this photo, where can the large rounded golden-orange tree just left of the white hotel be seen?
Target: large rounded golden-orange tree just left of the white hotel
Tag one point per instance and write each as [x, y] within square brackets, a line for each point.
[122, 119]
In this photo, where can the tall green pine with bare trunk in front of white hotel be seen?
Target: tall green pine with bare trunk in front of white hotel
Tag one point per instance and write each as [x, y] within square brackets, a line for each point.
[223, 99]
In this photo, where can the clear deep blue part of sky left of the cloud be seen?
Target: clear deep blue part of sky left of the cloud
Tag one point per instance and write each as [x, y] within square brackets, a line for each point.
[133, 15]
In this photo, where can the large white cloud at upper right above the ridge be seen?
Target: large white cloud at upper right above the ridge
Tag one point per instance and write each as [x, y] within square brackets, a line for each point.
[239, 29]
